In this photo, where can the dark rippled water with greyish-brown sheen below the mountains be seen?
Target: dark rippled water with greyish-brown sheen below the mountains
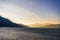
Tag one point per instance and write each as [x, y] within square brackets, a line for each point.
[16, 33]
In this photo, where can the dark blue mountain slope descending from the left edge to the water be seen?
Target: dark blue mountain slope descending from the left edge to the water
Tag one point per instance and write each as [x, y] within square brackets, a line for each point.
[4, 22]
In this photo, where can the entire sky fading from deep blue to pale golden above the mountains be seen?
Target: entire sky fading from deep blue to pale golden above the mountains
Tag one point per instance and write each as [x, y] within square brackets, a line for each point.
[31, 11]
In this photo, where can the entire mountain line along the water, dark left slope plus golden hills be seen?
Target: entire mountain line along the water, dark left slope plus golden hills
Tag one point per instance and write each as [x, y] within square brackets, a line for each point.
[4, 22]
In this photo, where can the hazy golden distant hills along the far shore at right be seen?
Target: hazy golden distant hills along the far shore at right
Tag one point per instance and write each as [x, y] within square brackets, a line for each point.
[45, 25]
